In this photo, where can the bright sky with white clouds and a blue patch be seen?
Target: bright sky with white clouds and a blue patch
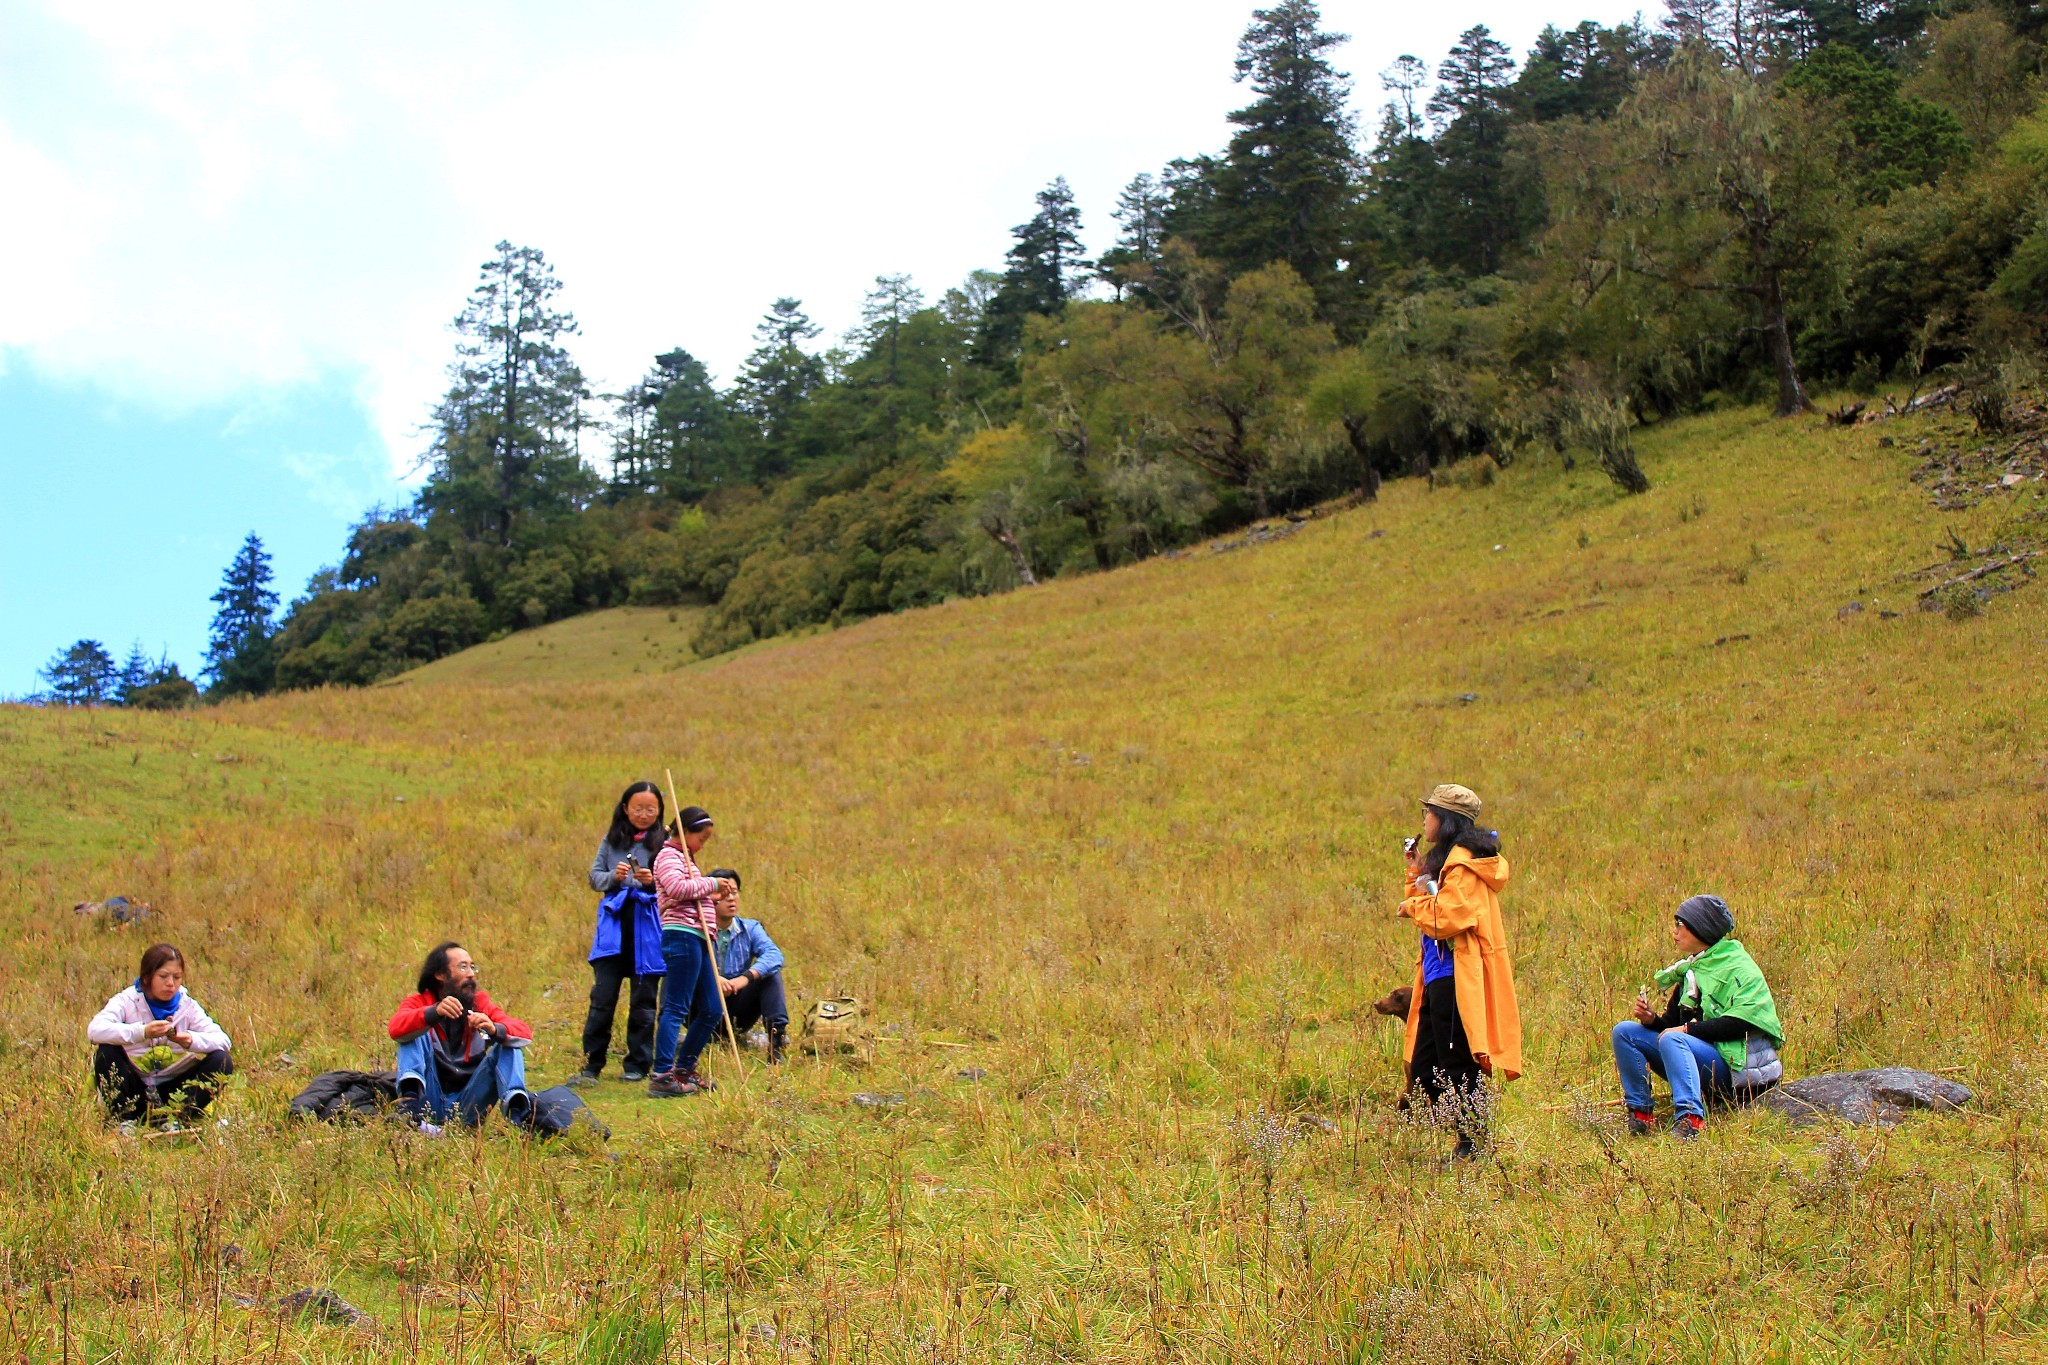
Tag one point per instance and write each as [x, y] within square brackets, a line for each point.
[237, 234]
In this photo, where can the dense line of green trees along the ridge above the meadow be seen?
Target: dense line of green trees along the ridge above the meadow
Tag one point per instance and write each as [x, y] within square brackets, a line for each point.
[1736, 204]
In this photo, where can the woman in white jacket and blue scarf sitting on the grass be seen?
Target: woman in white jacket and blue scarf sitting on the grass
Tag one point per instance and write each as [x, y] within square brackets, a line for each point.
[157, 1049]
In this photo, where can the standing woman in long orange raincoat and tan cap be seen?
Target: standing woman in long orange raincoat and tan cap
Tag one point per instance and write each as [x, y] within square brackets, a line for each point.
[1463, 1018]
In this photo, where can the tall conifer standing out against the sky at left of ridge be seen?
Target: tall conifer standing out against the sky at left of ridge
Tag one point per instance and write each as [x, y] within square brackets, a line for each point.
[509, 429]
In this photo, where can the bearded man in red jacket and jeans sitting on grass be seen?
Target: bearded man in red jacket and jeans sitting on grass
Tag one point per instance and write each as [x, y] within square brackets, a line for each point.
[456, 1049]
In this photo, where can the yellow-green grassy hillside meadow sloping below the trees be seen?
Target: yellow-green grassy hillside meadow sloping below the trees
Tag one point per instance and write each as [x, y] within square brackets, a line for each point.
[1134, 840]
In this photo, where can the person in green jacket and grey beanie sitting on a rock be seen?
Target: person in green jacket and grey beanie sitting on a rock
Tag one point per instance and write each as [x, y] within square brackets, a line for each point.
[1719, 1032]
